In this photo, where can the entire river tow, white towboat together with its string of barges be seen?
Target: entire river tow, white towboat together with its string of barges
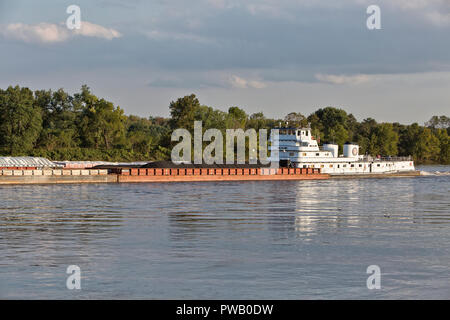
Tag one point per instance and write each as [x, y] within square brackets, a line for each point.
[300, 158]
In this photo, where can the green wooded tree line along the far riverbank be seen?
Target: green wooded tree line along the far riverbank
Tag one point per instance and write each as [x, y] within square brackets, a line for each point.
[82, 126]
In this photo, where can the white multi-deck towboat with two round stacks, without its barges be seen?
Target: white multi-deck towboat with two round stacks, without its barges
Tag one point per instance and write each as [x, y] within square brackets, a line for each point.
[297, 148]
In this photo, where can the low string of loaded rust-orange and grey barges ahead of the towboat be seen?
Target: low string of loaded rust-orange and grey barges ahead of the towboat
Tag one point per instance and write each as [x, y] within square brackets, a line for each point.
[45, 172]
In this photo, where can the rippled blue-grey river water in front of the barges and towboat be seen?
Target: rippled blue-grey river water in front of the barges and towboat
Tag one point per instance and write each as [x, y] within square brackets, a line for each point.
[230, 240]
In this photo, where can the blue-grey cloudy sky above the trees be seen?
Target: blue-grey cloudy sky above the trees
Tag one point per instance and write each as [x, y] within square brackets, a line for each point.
[274, 56]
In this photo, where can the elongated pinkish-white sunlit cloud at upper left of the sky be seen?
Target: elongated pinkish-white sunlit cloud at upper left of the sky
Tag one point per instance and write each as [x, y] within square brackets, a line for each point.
[52, 33]
